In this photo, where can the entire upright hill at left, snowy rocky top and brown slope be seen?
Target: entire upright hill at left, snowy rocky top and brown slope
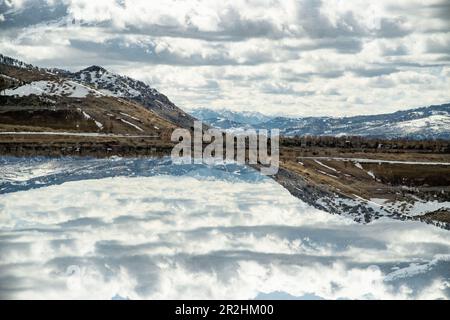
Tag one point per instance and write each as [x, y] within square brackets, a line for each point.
[92, 101]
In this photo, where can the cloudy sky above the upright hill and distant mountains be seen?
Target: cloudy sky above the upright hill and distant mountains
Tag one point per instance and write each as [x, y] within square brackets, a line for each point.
[303, 57]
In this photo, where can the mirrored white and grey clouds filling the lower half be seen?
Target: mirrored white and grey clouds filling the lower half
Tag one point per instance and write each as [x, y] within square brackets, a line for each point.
[179, 237]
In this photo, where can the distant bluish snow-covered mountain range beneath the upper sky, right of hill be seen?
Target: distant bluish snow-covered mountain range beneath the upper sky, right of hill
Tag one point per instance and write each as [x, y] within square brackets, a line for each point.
[431, 122]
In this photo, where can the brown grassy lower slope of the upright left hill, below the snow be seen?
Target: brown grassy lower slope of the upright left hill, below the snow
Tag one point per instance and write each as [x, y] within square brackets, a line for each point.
[117, 116]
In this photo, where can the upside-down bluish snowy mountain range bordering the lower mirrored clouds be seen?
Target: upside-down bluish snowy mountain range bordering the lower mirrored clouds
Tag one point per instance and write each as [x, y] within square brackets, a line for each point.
[18, 174]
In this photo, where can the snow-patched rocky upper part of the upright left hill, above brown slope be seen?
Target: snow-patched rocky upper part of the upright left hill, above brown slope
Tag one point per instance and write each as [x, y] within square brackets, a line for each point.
[93, 80]
